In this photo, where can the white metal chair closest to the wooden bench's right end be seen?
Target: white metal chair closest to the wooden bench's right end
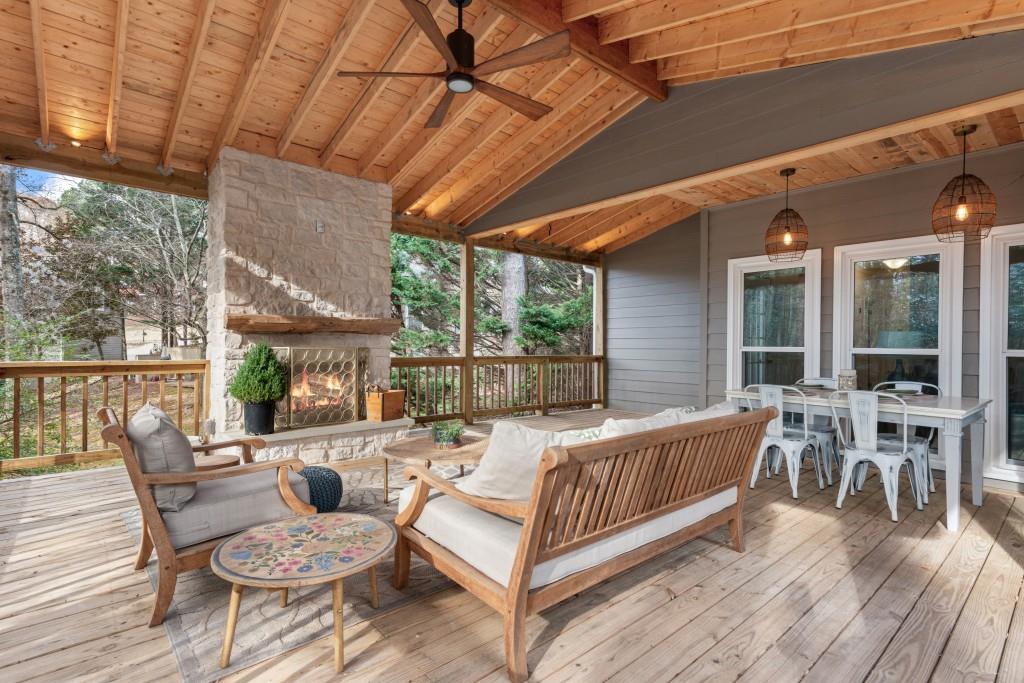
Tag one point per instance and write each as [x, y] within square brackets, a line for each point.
[793, 444]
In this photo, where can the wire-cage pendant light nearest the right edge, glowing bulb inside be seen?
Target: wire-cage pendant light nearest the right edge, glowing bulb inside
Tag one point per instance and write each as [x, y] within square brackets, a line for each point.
[965, 210]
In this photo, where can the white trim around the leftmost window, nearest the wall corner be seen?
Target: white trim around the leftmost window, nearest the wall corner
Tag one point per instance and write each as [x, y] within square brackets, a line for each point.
[738, 268]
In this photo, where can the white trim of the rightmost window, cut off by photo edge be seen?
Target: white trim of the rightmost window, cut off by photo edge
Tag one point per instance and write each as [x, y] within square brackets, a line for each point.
[993, 346]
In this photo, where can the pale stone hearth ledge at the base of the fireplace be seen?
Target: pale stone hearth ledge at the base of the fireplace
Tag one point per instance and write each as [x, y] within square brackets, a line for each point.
[331, 444]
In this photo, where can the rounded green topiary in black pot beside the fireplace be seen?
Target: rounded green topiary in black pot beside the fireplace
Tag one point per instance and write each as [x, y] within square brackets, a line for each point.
[261, 382]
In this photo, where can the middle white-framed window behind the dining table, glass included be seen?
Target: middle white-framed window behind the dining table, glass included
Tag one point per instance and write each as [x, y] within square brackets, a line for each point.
[899, 312]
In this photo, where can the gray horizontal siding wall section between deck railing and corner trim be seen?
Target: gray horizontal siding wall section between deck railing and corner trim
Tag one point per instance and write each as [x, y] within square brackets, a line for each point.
[654, 339]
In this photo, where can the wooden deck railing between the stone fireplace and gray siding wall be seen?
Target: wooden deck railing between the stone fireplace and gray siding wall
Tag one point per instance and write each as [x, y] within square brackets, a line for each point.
[500, 386]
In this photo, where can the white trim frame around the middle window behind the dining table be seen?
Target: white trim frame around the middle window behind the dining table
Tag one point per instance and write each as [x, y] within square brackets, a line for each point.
[951, 304]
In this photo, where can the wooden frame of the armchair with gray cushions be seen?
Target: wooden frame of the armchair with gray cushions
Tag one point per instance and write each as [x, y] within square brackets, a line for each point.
[155, 535]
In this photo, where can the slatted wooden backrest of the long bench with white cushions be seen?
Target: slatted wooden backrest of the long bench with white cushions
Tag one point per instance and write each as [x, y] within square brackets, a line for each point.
[604, 488]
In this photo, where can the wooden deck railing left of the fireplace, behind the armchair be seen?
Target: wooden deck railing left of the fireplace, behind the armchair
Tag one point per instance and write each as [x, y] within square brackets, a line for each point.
[49, 408]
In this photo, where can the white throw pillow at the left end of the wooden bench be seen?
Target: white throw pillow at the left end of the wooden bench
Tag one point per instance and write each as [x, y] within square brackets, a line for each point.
[508, 467]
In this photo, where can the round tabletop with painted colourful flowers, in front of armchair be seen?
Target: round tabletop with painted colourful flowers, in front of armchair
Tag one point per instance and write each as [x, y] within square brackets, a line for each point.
[304, 551]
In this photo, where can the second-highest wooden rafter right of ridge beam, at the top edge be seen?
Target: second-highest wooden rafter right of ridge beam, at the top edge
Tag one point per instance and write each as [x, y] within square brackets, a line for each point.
[659, 16]
